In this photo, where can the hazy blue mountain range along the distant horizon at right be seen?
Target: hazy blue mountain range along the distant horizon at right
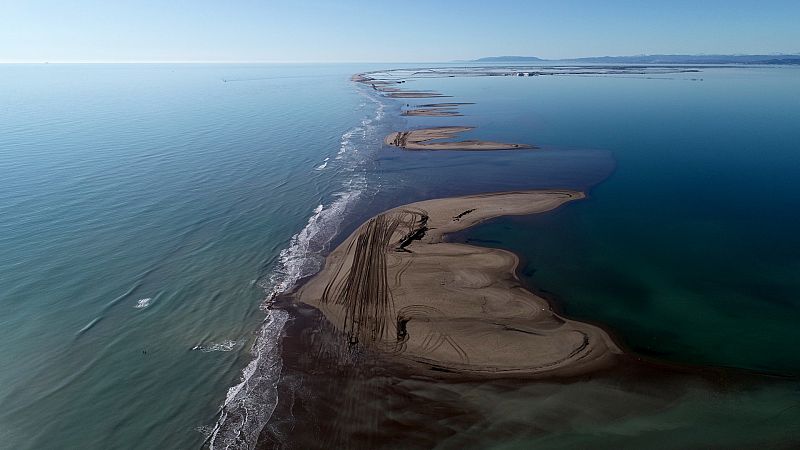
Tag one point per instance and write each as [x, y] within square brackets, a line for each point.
[659, 59]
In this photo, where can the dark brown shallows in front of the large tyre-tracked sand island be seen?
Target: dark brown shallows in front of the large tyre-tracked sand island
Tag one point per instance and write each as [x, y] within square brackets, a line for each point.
[333, 395]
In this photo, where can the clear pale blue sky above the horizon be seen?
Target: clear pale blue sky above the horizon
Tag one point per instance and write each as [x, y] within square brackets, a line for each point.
[382, 31]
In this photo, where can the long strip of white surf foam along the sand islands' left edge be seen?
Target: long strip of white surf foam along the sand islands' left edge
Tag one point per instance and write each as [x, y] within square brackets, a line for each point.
[249, 405]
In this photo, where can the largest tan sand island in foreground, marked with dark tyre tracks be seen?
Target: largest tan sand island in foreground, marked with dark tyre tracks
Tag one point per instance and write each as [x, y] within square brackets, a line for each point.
[450, 308]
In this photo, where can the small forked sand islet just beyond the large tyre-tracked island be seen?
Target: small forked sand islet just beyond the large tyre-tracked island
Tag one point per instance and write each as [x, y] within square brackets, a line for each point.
[420, 140]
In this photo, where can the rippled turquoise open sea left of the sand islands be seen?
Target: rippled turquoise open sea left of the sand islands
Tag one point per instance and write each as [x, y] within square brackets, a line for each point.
[144, 210]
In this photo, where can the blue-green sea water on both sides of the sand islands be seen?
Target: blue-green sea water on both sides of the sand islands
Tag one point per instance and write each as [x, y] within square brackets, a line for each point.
[147, 211]
